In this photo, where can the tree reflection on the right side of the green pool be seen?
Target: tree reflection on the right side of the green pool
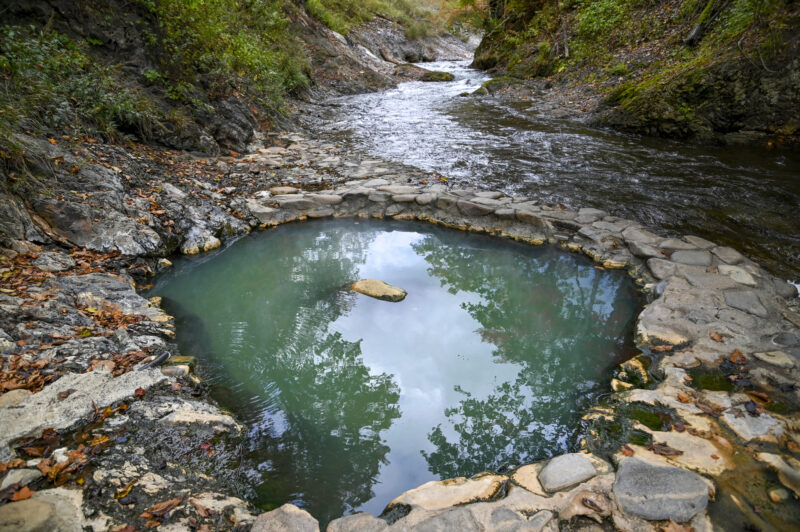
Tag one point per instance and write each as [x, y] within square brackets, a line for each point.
[540, 312]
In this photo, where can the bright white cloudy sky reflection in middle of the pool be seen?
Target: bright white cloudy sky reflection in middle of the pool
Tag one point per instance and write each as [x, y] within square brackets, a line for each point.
[414, 341]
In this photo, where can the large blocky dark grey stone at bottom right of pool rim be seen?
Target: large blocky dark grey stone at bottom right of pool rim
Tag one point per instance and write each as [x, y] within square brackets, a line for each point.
[659, 493]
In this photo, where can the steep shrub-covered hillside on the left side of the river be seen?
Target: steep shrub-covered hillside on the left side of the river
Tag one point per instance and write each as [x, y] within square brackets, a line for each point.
[193, 75]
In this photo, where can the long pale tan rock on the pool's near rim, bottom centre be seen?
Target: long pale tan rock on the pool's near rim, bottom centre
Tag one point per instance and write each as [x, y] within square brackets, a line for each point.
[438, 494]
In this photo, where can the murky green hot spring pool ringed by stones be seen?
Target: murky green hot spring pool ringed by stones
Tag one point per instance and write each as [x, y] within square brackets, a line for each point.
[349, 401]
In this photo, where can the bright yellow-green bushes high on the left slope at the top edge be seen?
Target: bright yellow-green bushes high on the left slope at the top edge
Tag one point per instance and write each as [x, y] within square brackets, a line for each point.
[227, 45]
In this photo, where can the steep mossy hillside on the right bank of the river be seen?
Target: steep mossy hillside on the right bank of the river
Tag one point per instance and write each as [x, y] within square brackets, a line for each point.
[724, 70]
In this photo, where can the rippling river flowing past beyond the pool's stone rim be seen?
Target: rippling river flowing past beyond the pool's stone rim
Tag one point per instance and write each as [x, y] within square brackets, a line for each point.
[747, 198]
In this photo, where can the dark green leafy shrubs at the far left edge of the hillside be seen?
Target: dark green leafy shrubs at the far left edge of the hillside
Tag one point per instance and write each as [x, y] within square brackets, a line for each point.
[51, 83]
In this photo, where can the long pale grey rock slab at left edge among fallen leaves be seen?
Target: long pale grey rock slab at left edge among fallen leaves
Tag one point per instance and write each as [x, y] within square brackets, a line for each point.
[46, 409]
